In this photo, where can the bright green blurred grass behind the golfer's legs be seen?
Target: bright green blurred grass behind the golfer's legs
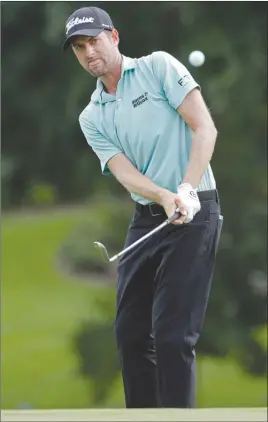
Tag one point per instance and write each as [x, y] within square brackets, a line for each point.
[41, 310]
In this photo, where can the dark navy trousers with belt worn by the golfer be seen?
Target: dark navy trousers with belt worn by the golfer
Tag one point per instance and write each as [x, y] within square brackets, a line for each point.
[163, 291]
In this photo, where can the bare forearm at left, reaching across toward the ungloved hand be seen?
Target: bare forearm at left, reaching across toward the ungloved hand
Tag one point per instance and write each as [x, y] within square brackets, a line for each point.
[134, 181]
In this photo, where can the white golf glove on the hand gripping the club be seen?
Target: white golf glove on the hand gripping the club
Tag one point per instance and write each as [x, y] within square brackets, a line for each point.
[189, 199]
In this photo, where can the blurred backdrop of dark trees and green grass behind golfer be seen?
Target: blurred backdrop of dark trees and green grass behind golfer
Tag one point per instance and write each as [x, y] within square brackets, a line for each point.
[57, 297]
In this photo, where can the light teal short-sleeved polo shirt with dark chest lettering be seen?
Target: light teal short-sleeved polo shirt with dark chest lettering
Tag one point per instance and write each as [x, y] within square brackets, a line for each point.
[141, 121]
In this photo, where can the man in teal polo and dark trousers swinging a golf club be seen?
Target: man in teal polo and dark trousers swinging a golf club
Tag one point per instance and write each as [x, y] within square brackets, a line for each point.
[149, 126]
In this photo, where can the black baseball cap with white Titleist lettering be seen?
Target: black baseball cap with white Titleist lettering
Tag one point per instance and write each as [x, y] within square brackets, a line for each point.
[88, 21]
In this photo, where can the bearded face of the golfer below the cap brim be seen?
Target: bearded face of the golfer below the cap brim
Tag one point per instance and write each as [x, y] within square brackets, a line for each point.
[97, 55]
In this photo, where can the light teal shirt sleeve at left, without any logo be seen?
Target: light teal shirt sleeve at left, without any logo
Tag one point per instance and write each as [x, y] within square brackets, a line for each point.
[102, 147]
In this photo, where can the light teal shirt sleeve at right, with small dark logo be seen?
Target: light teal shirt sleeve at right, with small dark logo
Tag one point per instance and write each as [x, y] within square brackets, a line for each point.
[176, 80]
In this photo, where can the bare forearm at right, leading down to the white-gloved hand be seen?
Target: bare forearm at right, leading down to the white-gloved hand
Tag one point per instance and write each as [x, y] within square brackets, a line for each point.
[203, 143]
